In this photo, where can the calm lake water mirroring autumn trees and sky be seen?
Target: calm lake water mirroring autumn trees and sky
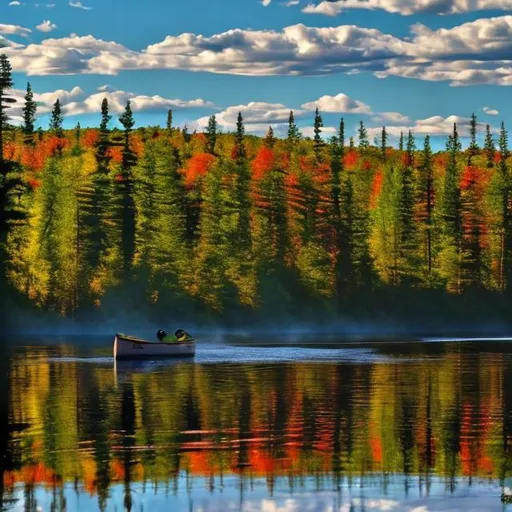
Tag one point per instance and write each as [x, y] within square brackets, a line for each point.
[395, 426]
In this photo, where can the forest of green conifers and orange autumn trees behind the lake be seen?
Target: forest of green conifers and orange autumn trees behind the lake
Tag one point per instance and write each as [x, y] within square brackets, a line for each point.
[160, 220]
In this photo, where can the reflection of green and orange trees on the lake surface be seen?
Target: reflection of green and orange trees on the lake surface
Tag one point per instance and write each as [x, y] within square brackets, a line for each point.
[449, 417]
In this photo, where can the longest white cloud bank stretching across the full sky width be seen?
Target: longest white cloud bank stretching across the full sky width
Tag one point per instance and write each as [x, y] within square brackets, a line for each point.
[477, 52]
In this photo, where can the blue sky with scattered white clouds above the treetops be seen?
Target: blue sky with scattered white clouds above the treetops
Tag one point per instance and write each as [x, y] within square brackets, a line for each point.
[404, 63]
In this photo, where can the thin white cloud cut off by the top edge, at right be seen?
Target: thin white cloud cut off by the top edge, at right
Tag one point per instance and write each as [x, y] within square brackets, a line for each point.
[407, 7]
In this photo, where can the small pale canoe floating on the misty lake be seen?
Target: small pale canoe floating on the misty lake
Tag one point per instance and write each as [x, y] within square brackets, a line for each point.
[129, 347]
